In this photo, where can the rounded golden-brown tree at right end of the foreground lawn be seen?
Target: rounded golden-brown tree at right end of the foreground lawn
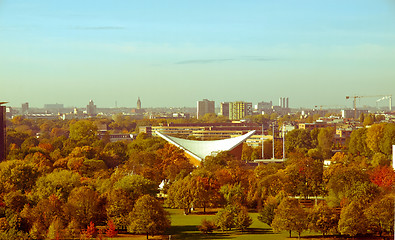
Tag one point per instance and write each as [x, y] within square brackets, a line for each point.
[290, 216]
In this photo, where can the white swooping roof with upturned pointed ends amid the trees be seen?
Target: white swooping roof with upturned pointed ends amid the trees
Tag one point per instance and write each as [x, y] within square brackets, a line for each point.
[202, 149]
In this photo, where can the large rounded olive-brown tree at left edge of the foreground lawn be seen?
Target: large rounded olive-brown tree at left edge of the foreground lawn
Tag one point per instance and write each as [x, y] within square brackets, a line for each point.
[148, 217]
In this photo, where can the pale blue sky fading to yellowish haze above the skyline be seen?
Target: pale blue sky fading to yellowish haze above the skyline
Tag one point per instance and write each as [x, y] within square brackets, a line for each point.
[173, 53]
